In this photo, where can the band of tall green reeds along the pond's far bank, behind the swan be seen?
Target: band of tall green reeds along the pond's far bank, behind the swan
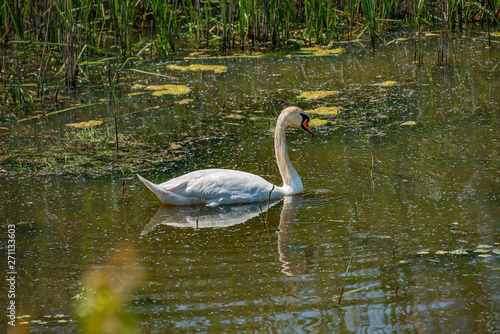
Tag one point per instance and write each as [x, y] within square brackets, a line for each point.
[82, 29]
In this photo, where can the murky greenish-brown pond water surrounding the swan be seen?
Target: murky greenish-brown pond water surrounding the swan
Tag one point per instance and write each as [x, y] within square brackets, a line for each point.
[384, 202]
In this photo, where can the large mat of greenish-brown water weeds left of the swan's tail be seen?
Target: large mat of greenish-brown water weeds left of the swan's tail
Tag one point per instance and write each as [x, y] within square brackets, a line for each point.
[91, 151]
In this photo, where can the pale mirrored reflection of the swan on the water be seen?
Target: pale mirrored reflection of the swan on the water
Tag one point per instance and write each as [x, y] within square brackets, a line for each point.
[229, 215]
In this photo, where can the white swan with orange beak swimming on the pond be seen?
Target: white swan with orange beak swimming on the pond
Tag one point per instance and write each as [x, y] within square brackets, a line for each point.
[225, 186]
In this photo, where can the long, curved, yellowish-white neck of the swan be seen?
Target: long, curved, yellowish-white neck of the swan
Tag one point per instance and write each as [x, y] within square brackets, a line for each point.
[291, 179]
